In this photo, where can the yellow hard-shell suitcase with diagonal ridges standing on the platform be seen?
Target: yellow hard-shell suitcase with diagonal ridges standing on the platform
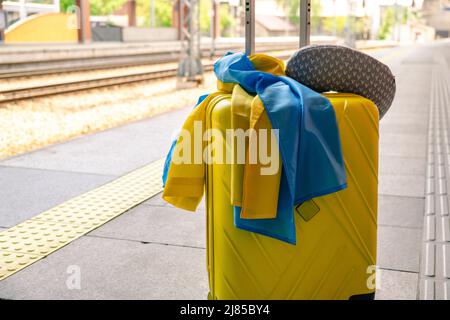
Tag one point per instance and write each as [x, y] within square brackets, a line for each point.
[335, 255]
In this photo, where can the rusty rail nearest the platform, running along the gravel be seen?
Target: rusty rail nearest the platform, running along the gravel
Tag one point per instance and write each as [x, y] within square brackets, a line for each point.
[93, 83]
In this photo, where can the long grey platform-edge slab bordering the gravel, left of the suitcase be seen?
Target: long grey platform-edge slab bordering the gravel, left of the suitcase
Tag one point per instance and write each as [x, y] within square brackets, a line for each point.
[111, 152]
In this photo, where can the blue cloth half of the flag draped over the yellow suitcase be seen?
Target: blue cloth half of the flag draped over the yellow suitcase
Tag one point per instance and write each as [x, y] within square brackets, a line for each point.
[308, 139]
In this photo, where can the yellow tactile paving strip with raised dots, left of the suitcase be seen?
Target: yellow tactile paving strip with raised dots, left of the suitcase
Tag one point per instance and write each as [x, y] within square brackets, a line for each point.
[33, 239]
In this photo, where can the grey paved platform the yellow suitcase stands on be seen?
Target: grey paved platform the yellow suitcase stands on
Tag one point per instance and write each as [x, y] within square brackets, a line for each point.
[134, 246]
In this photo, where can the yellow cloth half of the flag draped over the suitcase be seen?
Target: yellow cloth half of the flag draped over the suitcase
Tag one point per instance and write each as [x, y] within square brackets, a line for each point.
[257, 194]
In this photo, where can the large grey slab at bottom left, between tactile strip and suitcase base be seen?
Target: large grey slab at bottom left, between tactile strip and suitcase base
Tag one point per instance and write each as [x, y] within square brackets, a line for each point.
[112, 269]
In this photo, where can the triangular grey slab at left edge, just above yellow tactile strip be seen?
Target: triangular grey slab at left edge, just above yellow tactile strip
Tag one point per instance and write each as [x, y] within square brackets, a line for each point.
[25, 193]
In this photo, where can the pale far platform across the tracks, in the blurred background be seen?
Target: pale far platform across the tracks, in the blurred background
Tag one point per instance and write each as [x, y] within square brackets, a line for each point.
[27, 59]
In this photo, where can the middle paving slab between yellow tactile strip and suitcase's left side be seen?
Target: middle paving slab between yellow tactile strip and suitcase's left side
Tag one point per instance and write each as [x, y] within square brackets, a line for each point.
[158, 224]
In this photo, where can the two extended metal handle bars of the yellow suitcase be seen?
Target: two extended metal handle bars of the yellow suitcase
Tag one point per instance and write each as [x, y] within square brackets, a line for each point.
[305, 25]
